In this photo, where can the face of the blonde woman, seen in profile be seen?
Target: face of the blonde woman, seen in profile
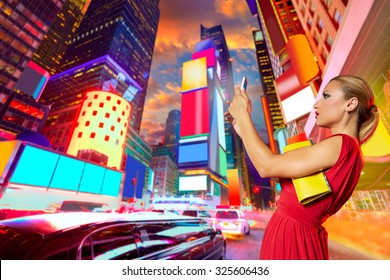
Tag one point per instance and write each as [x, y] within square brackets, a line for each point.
[331, 107]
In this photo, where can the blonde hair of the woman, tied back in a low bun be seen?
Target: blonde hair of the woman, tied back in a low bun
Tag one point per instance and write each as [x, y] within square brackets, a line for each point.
[368, 116]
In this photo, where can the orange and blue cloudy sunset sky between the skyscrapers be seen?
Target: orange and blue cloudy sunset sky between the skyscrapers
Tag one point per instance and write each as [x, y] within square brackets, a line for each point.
[178, 32]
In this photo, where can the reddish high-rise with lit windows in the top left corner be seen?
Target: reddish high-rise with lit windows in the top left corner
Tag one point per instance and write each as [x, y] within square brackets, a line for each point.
[23, 25]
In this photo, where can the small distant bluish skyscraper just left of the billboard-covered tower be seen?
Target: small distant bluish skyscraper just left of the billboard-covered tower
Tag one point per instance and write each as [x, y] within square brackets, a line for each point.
[172, 133]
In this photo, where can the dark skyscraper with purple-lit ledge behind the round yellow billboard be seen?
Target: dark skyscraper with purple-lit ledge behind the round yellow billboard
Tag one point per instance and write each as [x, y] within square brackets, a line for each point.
[112, 51]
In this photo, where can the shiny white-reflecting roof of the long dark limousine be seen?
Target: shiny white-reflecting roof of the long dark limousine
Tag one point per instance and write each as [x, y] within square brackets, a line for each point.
[49, 223]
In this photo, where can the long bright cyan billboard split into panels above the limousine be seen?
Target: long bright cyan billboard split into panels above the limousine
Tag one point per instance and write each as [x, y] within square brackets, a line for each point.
[52, 170]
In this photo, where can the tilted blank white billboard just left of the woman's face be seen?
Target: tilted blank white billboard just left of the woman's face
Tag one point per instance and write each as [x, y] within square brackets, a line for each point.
[298, 104]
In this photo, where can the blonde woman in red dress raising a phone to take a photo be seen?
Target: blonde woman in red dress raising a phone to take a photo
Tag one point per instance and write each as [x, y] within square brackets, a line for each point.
[295, 231]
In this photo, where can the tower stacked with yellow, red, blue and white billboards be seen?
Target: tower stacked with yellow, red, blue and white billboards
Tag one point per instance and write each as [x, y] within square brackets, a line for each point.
[202, 149]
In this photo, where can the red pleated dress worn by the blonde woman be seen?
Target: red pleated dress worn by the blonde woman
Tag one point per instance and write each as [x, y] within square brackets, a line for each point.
[295, 231]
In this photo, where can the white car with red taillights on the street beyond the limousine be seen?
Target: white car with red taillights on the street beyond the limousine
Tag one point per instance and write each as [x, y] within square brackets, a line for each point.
[232, 223]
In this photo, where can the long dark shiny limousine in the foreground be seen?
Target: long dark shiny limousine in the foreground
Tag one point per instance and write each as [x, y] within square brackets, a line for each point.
[109, 236]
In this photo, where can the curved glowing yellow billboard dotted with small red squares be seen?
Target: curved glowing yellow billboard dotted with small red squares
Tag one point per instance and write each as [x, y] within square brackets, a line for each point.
[102, 127]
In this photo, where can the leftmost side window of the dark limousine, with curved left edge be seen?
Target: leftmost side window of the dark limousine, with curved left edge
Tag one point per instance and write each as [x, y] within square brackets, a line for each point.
[111, 243]
